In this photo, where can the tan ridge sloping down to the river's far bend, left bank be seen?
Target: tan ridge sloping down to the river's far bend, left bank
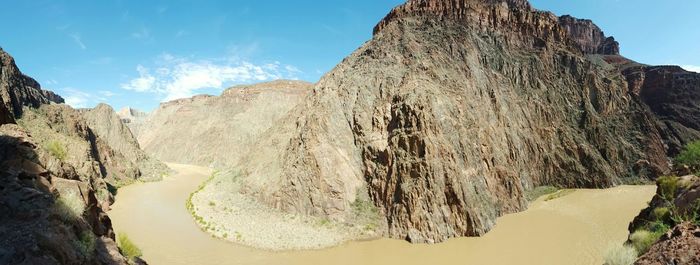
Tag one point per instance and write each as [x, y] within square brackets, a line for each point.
[108, 126]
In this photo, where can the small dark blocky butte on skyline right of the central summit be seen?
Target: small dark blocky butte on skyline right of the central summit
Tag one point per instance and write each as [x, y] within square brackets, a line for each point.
[590, 38]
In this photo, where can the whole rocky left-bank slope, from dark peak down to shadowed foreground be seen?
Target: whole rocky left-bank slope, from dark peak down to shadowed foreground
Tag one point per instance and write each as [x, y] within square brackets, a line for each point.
[54, 174]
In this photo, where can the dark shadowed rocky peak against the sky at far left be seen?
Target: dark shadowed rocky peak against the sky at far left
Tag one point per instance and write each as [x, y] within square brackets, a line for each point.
[18, 90]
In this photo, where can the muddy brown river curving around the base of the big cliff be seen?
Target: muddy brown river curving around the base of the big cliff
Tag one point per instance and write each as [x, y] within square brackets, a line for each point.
[575, 229]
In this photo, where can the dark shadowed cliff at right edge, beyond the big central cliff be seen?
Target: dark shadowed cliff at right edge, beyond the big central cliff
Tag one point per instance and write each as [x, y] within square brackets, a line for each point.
[673, 96]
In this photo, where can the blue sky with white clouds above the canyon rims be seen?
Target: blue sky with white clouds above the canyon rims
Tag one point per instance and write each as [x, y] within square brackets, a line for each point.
[140, 53]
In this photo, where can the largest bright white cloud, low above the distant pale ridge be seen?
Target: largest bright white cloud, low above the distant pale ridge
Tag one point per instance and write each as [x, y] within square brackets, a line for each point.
[177, 77]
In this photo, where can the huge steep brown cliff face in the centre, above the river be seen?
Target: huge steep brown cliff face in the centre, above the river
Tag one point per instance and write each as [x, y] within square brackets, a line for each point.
[448, 115]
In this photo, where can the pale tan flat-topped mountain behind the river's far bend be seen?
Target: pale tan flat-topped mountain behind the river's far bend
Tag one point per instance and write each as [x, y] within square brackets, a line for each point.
[208, 130]
